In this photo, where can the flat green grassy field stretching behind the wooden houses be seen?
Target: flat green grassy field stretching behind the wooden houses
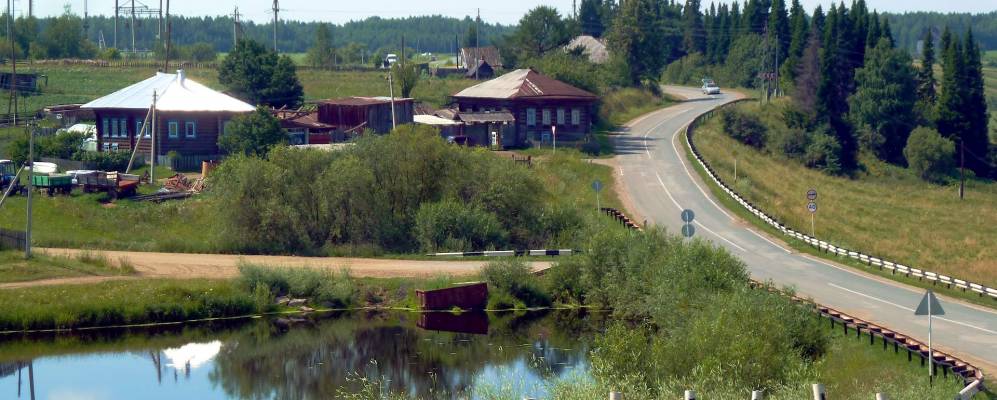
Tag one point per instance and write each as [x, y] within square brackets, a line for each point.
[79, 84]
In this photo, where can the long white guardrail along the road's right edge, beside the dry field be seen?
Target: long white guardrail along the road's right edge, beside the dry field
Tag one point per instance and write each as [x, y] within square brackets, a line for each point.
[872, 261]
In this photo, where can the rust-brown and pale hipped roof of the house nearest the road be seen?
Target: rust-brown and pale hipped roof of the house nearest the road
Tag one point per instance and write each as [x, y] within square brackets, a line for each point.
[523, 84]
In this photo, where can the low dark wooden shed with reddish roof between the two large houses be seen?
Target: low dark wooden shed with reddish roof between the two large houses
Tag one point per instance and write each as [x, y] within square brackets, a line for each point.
[358, 113]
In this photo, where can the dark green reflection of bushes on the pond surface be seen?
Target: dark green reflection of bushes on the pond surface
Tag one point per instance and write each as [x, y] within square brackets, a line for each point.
[313, 362]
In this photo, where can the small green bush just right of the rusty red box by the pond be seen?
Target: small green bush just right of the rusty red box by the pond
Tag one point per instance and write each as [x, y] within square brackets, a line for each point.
[511, 284]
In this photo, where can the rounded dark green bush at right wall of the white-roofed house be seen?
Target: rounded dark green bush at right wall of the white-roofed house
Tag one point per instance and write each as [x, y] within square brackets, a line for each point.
[253, 134]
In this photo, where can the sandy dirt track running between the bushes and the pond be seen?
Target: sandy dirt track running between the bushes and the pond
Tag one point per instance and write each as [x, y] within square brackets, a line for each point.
[223, 266]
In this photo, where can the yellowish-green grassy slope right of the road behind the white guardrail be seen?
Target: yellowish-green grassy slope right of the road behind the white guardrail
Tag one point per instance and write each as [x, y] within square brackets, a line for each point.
[884, 211]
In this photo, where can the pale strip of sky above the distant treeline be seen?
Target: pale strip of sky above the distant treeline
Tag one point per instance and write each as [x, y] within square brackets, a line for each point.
[504, 11]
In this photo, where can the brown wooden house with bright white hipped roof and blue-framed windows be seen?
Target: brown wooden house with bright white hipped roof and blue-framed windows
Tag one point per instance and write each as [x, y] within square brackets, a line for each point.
[189, 117]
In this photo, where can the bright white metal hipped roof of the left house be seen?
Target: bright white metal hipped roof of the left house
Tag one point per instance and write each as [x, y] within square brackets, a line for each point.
[174, 92]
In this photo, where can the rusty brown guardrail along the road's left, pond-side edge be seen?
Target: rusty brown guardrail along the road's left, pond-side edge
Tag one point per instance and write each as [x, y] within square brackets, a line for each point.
[972, 376]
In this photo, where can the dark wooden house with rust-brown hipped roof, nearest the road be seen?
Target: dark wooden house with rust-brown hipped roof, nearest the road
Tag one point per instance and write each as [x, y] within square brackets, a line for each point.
[520, 108]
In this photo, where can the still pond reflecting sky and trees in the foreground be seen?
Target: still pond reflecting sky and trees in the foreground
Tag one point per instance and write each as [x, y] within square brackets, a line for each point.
[429, 355]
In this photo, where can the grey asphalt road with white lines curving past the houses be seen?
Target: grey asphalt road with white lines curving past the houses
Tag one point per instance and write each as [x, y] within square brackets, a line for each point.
[660, 182]
